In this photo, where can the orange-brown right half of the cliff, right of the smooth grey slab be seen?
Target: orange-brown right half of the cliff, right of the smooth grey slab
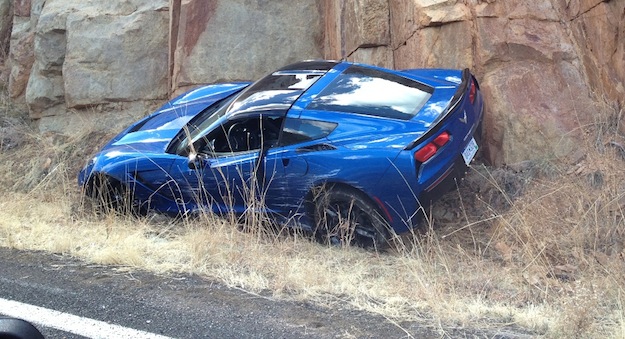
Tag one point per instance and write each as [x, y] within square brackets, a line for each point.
[534, 73]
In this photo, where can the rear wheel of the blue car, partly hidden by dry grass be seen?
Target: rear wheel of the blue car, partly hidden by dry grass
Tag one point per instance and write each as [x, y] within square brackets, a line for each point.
[344, 216]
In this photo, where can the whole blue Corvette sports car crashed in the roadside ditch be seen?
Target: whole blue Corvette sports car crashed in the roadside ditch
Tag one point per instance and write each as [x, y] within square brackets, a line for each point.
[350, 151]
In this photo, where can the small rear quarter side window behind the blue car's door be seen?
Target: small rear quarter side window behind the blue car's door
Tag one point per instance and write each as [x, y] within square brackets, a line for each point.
[302, 130]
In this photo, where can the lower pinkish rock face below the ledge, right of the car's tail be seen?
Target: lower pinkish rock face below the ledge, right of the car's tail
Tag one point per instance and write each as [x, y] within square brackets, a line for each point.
[534, 110]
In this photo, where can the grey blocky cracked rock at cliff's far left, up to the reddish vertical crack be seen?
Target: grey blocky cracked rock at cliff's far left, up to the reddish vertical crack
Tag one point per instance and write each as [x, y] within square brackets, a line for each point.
[73, 61]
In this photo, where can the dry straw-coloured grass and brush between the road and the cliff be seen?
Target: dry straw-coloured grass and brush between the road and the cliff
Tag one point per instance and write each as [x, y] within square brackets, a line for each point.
[534, 248]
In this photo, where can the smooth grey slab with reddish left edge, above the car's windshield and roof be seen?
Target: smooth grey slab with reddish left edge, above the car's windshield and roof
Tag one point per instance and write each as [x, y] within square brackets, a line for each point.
[241, 39]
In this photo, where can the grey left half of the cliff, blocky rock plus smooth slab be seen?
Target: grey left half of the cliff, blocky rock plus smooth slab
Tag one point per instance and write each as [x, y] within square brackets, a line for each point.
[85, 64]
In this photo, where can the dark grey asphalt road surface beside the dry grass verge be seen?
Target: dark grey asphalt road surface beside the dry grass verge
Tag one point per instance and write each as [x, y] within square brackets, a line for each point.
[174, 306]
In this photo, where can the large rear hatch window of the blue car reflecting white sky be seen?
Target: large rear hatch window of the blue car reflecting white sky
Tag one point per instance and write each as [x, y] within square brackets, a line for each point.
[373, 92]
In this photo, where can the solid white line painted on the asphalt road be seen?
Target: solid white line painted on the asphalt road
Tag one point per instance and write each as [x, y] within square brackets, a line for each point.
[70, 323]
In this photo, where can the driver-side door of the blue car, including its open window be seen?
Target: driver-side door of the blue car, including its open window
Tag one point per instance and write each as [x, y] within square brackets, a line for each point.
[231, 180]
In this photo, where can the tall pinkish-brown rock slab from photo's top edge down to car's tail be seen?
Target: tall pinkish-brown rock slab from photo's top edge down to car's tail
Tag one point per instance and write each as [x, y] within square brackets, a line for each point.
[531, 78]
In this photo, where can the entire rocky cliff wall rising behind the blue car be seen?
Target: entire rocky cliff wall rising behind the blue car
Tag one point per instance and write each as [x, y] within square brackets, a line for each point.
[546, 67]
